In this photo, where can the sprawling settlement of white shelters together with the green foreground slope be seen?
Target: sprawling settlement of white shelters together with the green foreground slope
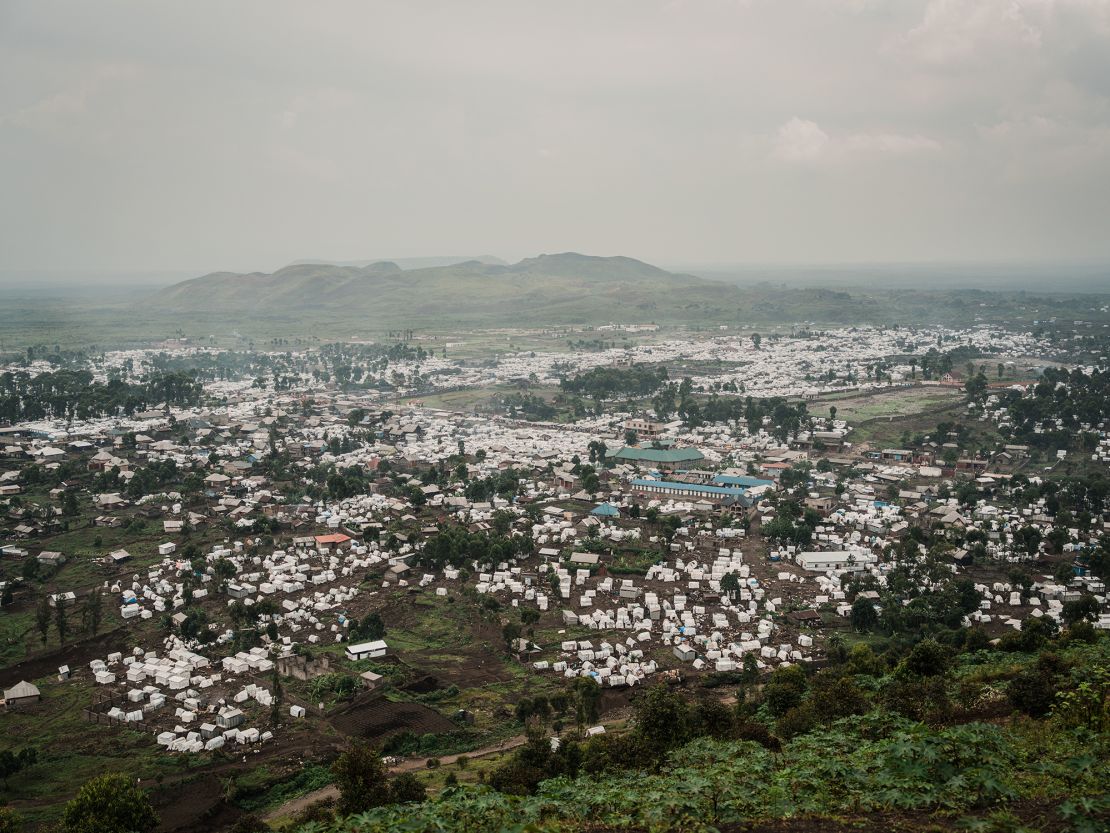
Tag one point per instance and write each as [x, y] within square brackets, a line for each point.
[486, 575]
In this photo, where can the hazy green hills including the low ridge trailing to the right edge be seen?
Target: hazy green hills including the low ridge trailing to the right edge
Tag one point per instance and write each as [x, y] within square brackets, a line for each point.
[567, 289]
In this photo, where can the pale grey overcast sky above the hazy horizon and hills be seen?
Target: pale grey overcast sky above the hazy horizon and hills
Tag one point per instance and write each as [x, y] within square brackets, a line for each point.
[204, 136]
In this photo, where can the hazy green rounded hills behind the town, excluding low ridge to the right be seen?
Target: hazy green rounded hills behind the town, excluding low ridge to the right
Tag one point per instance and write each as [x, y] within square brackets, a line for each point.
[553, 288]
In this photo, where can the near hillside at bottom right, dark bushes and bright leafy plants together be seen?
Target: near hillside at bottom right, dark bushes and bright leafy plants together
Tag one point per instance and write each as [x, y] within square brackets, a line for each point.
[845, 749]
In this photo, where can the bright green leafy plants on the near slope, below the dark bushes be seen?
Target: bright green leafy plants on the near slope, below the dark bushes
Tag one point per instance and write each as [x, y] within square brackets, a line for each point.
[860, 766]
